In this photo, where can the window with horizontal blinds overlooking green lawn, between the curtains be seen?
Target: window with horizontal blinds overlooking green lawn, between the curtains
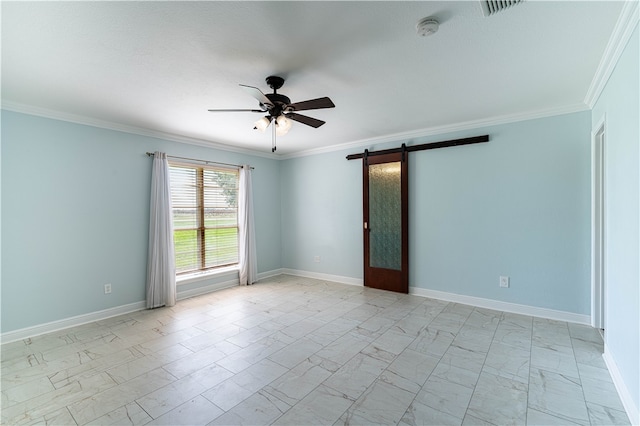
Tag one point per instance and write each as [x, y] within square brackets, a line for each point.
[204, 201]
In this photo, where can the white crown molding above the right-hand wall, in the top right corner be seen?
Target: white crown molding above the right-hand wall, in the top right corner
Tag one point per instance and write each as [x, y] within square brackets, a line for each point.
[626, 24]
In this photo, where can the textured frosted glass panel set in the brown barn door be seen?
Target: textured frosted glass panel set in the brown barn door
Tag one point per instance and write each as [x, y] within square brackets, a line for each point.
[385, 216]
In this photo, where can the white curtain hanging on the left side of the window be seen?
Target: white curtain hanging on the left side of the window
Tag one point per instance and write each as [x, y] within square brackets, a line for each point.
[161, 270]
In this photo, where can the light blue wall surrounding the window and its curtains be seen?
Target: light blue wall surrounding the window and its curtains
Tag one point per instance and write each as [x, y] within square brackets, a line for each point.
[75, 206]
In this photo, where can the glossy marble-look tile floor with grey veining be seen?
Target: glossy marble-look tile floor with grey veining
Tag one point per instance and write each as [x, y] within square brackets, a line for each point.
[299, 351]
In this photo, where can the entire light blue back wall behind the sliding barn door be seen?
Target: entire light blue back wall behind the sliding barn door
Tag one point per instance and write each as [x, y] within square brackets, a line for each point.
[517, 206]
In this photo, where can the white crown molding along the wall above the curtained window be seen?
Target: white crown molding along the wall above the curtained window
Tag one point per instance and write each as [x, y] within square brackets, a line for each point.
[87, 121]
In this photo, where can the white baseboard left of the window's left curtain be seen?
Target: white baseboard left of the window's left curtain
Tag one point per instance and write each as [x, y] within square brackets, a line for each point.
[24, 333]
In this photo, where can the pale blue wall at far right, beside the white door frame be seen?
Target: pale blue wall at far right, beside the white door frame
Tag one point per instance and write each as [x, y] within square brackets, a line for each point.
[620, 103]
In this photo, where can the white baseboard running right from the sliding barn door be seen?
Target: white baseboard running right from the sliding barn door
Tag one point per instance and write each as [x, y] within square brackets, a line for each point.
[502, 306]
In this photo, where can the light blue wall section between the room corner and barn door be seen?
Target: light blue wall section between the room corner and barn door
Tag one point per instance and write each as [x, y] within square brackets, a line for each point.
[322, 214]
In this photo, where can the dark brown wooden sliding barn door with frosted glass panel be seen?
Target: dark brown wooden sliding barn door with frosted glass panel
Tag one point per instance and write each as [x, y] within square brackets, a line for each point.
[386, 227]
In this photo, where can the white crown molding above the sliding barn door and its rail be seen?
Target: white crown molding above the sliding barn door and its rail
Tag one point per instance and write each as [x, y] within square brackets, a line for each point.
[439, 130]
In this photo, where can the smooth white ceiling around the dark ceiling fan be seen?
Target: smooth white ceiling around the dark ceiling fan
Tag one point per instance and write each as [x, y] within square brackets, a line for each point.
[160, 65]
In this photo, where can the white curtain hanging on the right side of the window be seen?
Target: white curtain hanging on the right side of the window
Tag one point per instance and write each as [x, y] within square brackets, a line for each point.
[247, 255]
